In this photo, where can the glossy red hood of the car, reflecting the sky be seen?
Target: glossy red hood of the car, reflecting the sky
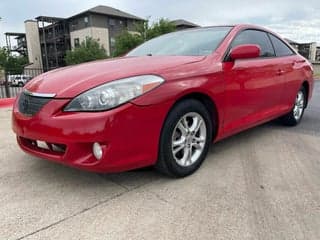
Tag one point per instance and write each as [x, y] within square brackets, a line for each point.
[68, 82]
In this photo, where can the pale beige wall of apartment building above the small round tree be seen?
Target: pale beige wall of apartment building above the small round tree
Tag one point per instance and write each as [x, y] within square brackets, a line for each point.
[99, 34]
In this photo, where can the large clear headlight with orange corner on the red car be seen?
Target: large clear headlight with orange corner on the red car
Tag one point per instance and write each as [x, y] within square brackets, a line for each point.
[114, 93]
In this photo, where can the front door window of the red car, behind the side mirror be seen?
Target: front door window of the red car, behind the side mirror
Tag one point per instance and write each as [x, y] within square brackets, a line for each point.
[255, 37]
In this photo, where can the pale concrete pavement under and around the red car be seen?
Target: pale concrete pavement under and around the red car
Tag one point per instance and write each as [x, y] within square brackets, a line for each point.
[263, 183]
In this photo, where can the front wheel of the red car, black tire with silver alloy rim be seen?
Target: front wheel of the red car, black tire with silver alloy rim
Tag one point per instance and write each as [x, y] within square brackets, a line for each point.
[185, 139]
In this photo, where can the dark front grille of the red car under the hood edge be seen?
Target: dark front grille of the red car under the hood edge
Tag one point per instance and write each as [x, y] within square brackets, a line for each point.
[30, 105]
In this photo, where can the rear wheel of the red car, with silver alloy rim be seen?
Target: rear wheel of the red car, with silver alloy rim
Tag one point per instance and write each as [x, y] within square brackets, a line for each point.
[294, 117]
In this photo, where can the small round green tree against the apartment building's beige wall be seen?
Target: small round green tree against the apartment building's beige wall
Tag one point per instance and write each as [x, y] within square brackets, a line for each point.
[88, 50]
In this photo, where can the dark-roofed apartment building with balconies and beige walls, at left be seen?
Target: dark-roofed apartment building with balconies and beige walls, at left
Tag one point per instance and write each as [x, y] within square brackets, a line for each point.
[48, 38]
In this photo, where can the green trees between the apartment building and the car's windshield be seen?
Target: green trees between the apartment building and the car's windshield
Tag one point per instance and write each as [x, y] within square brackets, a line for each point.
[127, 41]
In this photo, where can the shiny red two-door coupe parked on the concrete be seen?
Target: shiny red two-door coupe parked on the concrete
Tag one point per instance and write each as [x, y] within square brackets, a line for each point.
[164, 102]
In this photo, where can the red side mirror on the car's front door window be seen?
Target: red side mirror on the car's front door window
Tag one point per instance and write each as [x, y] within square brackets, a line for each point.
[245, 51]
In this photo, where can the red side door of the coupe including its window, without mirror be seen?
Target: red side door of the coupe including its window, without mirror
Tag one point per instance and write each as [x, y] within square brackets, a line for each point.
[253, 86]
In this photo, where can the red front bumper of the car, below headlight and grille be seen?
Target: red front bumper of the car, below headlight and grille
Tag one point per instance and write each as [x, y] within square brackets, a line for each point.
[128, 134]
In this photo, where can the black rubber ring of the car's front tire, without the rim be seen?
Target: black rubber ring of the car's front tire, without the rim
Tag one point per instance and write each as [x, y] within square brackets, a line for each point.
[172, 119]
